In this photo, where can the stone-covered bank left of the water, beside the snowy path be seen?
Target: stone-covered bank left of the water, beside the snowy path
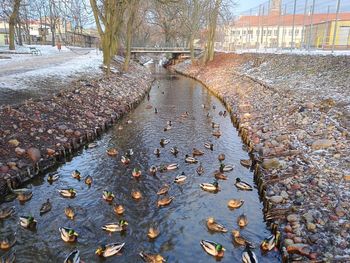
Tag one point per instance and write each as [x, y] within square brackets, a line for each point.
[38, 134]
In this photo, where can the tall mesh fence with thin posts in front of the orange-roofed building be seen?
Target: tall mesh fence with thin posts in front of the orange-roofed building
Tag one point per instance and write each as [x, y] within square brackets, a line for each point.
[291, 24]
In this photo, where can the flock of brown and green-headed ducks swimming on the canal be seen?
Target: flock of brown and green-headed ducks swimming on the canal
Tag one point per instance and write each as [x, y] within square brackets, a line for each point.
[107, 250]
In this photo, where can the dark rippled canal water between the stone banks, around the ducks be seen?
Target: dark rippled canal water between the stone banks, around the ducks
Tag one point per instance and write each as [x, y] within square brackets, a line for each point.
[183, 222]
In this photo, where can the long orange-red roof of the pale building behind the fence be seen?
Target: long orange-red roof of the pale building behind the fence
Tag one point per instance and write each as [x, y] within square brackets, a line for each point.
[287, 20]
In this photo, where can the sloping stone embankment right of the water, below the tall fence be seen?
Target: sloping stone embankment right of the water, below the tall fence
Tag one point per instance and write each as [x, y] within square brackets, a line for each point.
[293, 112]
